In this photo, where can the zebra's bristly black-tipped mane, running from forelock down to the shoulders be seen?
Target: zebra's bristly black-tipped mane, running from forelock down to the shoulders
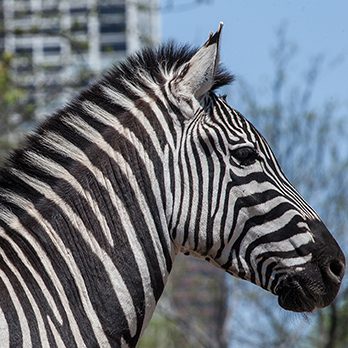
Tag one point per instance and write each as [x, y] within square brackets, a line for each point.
[154, 64]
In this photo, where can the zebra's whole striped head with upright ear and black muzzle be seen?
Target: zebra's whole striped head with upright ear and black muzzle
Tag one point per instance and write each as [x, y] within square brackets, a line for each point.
[234, 206]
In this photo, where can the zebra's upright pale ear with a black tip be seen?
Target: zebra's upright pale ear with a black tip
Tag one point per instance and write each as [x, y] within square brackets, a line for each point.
[197, 75]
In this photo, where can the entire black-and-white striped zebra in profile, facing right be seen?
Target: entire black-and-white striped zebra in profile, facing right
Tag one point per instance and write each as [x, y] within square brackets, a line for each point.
[145, 163]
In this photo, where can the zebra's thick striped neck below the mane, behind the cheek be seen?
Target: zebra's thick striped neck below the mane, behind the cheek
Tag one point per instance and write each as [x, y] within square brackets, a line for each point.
[87, 216]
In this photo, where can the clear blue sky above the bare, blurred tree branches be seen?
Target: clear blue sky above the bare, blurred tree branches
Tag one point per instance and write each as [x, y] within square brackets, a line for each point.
[317, 27]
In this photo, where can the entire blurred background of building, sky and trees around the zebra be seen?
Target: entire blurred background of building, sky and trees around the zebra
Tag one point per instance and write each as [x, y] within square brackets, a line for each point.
[290, 59]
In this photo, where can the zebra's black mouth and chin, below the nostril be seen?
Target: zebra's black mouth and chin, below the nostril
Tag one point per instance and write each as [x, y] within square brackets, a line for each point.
[294, 297]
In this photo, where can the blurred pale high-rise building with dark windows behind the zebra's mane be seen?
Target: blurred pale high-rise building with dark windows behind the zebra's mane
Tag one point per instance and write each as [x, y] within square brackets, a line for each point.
[56, 43]
